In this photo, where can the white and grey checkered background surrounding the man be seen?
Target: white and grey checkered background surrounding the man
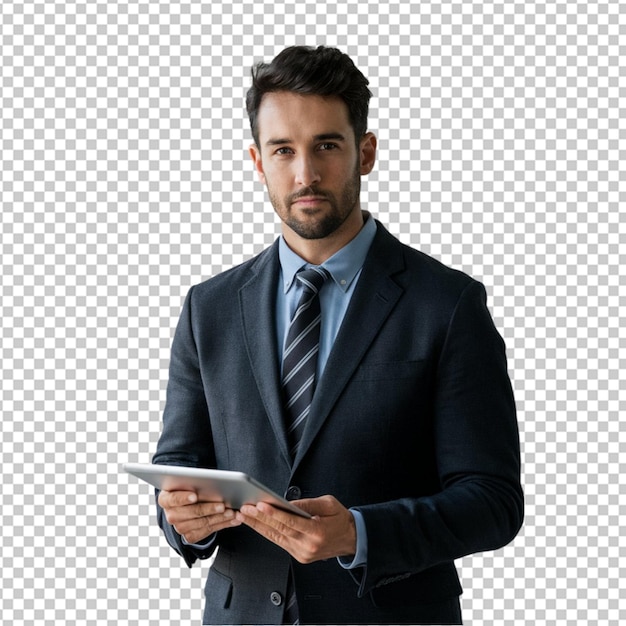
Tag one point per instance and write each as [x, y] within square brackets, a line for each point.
[125, 179]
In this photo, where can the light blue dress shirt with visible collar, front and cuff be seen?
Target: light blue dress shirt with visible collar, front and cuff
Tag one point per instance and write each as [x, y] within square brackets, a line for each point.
[345, 268]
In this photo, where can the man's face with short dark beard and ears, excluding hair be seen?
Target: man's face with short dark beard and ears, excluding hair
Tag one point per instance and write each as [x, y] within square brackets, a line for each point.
[309, 160]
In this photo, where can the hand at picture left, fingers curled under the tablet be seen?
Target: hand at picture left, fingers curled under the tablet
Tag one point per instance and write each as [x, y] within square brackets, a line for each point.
[195, 520]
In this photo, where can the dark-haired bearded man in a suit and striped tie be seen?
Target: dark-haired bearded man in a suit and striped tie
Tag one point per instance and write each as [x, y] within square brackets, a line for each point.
[406, 454]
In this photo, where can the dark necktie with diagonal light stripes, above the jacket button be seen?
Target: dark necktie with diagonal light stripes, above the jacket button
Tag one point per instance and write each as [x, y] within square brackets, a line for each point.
[300, 354]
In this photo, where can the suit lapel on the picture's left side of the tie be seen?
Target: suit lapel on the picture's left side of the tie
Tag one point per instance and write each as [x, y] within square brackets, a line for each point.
[257, 302]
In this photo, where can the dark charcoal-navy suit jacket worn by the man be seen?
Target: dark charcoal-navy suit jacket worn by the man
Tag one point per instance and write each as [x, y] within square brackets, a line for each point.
[413, 423]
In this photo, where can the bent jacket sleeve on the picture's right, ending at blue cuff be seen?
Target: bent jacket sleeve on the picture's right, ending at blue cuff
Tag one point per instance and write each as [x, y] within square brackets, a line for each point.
[480, 504]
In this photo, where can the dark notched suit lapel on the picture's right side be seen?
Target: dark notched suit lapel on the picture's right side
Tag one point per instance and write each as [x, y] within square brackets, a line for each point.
[374, 298]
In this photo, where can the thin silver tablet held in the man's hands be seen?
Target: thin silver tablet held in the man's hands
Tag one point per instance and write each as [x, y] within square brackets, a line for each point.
[233, 488]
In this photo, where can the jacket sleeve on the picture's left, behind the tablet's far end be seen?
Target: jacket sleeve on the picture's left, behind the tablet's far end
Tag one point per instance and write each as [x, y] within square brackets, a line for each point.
[186, 436]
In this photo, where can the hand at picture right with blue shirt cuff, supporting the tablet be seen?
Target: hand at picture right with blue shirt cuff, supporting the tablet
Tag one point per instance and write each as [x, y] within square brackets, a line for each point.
[331, 532]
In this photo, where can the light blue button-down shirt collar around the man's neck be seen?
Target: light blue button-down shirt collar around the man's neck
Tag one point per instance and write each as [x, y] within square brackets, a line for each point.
[343, 266]
